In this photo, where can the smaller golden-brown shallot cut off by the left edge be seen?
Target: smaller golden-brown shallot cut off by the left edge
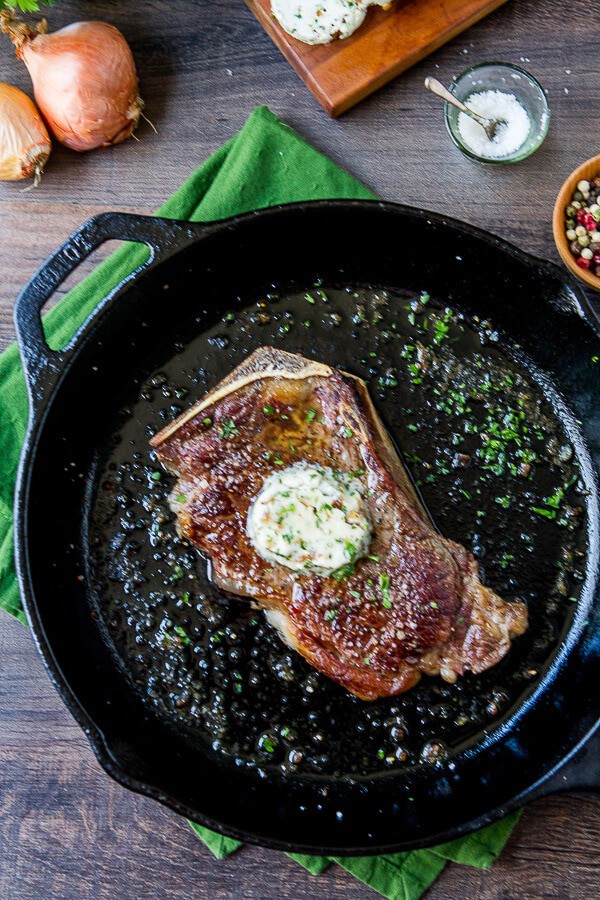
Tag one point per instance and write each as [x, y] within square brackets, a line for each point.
[24, 142]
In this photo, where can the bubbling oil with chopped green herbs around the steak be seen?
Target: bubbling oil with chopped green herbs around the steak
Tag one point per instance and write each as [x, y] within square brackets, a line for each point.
[493, 465]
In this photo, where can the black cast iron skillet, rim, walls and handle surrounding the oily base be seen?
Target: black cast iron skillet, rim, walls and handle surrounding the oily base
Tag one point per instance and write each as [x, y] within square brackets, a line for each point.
[547, 744]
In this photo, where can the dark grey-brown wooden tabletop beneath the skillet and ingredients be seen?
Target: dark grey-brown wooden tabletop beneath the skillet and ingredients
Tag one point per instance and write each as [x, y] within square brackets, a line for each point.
[66, 830]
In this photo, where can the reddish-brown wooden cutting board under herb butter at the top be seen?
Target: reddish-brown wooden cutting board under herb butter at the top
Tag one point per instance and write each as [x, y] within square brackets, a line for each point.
[341, 73]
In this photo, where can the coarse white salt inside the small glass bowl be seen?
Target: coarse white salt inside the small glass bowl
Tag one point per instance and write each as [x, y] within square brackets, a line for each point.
[510, 134]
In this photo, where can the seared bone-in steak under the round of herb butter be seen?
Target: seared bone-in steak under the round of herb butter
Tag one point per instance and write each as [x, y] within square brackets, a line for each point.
[418, 606]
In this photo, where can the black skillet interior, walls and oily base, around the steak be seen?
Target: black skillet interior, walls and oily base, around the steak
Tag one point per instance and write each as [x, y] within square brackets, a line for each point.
[177, 331]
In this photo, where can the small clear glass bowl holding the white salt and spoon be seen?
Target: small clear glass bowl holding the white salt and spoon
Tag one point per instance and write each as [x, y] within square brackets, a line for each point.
[511, 79]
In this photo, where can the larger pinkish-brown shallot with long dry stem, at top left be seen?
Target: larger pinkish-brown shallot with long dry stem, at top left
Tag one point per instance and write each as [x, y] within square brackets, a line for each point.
[84, 80]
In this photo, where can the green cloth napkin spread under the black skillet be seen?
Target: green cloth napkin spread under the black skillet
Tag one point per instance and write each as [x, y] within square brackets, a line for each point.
[265, 164]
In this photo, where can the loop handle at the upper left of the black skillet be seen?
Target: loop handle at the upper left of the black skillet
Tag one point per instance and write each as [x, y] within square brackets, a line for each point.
[40, 363]
